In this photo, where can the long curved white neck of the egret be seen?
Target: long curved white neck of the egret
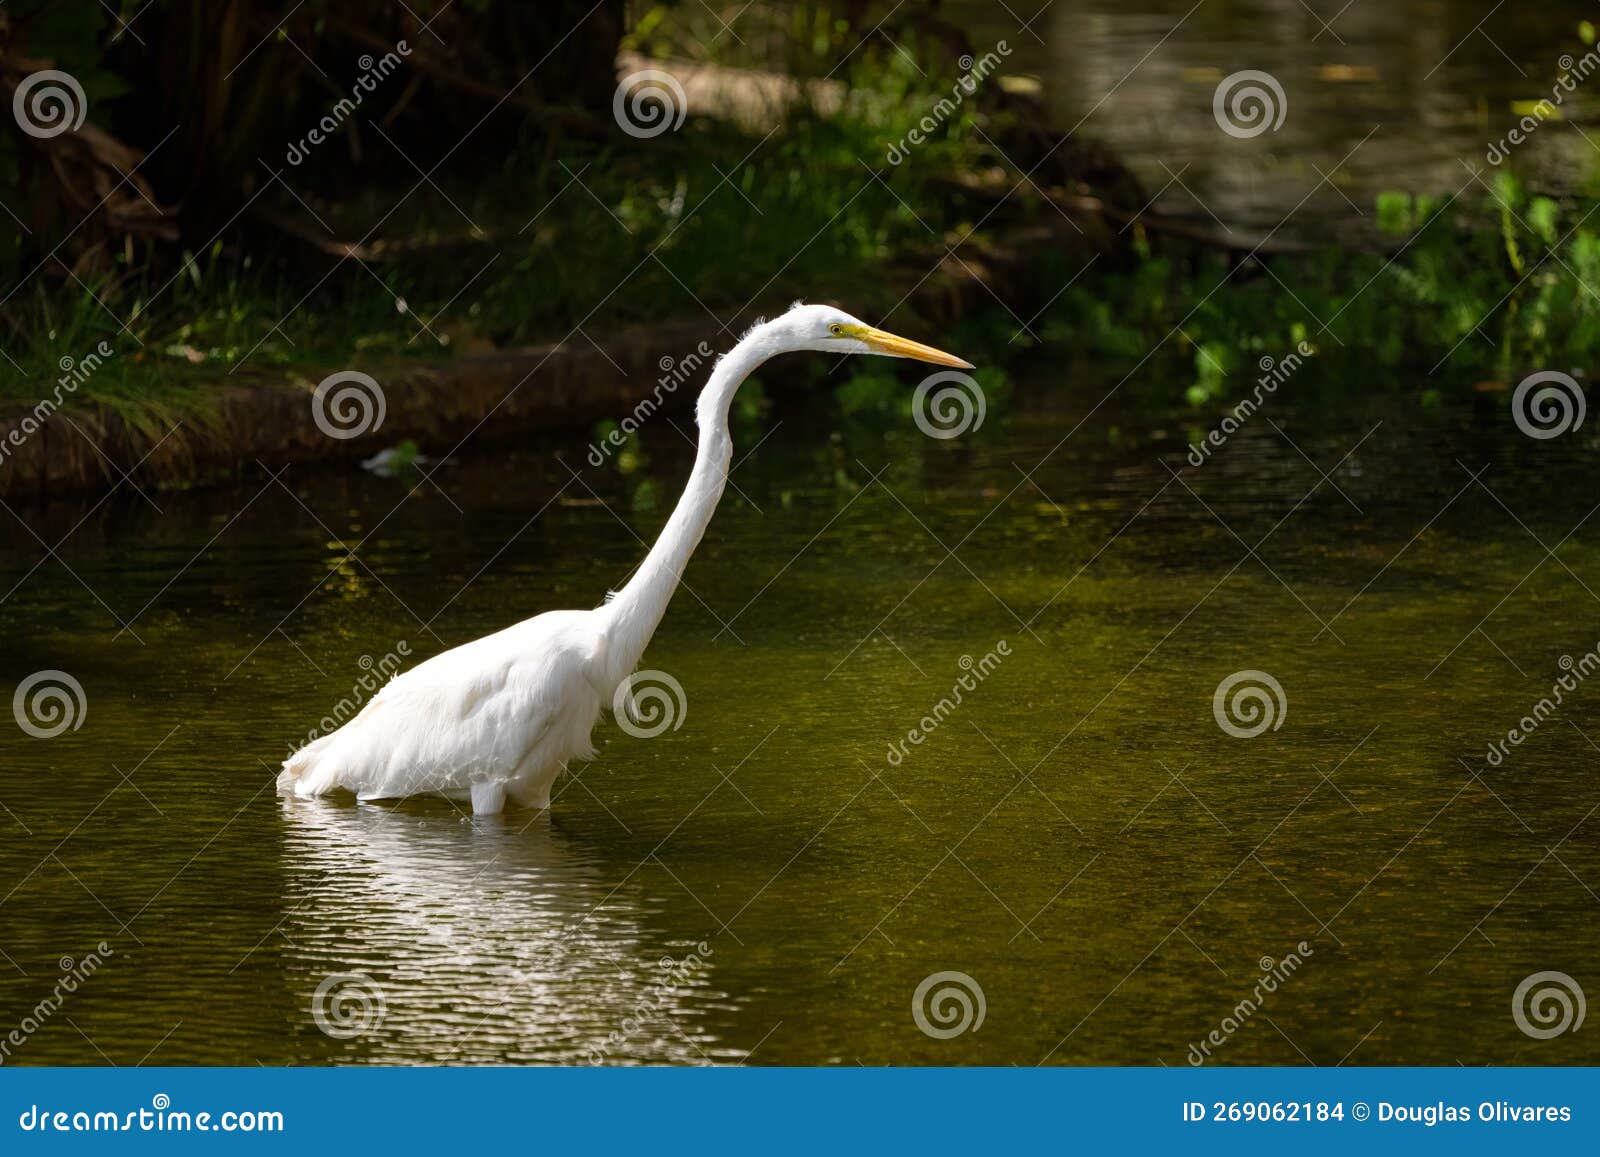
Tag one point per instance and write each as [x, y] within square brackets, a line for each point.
[636, 611]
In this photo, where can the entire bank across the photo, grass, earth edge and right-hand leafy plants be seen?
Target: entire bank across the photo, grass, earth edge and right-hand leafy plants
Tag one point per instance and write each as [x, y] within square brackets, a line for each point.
[575, 279]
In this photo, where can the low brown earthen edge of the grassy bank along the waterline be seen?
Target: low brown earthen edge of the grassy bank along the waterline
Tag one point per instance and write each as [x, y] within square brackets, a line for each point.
[265, 422]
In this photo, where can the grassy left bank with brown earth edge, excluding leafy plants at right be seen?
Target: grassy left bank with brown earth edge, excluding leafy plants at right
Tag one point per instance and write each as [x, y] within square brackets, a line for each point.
[538, 290]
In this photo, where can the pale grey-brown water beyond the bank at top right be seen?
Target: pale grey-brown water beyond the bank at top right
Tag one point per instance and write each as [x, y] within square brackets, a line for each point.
[1377, 97]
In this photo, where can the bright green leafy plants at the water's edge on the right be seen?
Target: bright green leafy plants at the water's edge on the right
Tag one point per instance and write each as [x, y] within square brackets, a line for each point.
[1465, 290]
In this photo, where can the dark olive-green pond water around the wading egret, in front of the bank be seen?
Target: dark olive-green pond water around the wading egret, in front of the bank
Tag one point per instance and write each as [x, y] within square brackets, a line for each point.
[1081, 838]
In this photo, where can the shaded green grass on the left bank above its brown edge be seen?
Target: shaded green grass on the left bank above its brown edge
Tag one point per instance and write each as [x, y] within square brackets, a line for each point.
[554, 238]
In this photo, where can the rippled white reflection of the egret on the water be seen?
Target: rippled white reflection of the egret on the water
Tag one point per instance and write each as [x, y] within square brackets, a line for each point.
[423, 937]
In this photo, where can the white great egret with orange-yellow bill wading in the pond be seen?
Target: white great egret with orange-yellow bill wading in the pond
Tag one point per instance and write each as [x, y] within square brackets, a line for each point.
[502, 716]
